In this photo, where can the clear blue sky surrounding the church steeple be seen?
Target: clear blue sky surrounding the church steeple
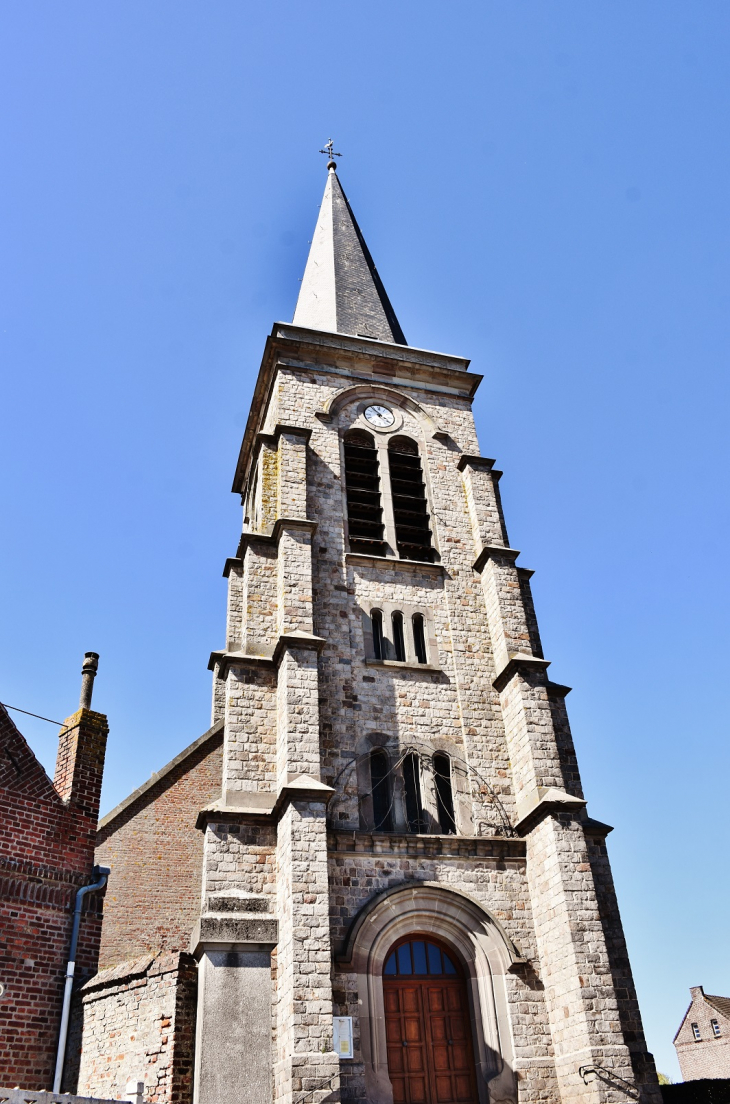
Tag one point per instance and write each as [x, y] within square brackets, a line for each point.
[544, 187]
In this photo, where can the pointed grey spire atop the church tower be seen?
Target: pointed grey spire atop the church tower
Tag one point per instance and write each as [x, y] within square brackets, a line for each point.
[342, 292]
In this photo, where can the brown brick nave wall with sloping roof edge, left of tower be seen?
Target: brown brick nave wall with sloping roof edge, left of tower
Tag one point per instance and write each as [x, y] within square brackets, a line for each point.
[156, 855]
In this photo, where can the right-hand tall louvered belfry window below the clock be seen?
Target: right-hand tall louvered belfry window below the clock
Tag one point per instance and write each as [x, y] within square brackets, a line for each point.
[410, 506]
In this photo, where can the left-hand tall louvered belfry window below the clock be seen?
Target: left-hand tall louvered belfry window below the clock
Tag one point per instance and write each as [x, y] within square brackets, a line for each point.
[365, 512]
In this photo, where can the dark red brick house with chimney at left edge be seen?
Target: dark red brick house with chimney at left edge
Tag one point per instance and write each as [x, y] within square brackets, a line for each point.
[48, 835]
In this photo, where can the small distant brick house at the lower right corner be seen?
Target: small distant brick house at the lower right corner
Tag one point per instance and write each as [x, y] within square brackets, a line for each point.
[703, 1042]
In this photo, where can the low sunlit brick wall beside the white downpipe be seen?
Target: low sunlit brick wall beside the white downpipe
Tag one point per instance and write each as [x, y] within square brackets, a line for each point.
[139, 1024]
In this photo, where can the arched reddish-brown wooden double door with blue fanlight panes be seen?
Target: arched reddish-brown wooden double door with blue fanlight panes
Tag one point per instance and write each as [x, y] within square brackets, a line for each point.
[428, 1025]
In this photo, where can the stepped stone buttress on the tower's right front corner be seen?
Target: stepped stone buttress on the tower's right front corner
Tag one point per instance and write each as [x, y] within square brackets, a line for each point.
[574, 960]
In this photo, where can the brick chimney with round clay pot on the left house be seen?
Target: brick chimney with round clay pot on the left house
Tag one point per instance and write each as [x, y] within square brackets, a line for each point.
[82, 747]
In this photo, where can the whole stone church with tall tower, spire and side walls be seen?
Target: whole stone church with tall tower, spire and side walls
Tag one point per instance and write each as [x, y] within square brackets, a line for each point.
[375, 878]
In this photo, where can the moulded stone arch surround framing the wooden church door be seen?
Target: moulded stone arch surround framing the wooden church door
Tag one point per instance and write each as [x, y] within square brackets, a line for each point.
[485, 954]
